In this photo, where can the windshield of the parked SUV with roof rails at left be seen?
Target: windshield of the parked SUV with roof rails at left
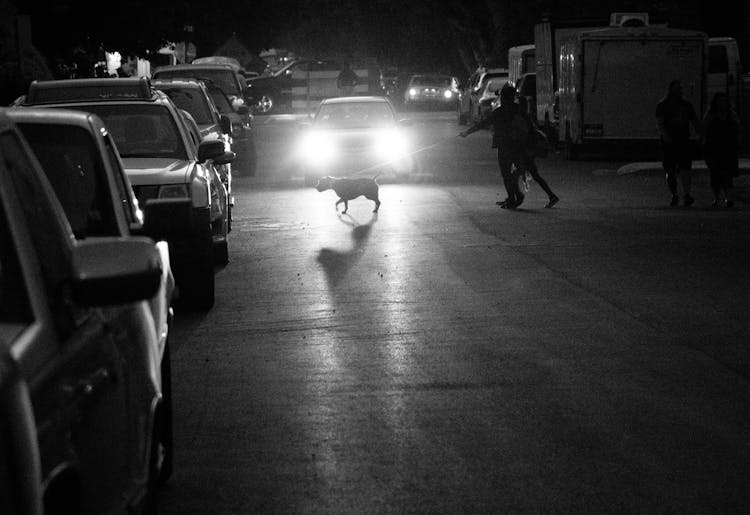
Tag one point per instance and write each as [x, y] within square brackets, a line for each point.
[142, 130]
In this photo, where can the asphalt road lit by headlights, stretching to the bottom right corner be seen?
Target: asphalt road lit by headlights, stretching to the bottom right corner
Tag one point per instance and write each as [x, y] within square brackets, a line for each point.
[449, 356]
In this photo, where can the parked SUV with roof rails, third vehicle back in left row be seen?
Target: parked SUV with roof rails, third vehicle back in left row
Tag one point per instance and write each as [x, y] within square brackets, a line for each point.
[161, 161]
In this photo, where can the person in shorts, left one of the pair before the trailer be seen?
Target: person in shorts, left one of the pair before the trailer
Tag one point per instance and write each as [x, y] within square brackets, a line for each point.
[674, 116]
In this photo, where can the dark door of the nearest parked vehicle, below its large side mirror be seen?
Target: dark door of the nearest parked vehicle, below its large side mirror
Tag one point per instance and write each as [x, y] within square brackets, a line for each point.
[77, 375]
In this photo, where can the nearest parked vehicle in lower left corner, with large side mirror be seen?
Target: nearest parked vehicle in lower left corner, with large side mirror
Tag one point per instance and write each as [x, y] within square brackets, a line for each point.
[71, 322]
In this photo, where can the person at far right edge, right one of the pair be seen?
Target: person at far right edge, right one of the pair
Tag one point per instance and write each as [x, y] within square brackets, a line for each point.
[721, 134]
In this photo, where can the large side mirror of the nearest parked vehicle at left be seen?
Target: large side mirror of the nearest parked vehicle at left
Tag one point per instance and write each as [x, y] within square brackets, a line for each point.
[110, 271]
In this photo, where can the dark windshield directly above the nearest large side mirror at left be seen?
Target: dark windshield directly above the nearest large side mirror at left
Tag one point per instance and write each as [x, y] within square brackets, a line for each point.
[72, 165]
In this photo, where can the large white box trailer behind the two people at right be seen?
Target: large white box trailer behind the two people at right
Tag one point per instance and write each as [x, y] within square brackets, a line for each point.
[611, 80]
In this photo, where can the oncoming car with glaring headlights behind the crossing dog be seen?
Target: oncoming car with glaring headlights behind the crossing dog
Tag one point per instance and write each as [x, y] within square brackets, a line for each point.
[355, 136]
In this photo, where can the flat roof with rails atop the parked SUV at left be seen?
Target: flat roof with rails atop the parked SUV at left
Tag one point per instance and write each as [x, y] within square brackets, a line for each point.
[87, 90]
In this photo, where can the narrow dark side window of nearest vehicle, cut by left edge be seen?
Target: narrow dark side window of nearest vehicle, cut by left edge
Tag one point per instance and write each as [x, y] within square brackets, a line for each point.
[14, 301]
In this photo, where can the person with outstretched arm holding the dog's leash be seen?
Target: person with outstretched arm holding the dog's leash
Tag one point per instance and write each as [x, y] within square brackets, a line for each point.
[510, 132]
